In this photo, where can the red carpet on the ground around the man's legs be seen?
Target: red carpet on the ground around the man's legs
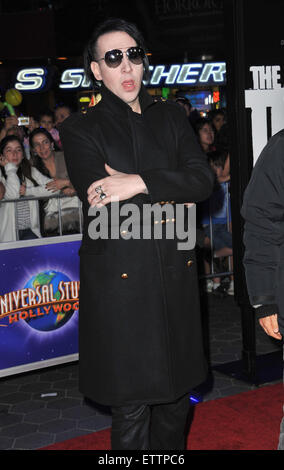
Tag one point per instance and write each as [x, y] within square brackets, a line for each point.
[248, 421]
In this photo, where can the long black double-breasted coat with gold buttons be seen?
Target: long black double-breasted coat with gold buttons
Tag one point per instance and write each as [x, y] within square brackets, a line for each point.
[140, 338]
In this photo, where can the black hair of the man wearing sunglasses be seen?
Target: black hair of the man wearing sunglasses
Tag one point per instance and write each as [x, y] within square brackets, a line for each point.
[108, 26]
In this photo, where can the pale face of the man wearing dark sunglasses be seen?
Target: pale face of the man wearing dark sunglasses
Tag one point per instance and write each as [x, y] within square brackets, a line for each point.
[125, 80]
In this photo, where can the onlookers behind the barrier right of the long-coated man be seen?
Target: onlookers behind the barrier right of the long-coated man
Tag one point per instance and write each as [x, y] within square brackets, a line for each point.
[214, 228]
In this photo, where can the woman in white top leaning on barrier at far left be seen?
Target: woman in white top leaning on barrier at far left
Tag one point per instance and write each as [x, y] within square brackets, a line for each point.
[19, 179]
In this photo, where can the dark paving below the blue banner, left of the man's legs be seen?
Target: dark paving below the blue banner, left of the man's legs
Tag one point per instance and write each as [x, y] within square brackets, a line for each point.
[39, 408]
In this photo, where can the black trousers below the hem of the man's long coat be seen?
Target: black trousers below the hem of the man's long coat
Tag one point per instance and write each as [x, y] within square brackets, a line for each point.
[142, 427]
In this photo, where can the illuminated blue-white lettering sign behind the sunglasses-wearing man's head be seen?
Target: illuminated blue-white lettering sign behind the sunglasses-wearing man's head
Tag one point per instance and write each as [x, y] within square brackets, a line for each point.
[195, 74]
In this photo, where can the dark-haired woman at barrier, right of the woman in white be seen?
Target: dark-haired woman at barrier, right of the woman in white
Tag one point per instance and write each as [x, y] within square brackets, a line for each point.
[50, 162]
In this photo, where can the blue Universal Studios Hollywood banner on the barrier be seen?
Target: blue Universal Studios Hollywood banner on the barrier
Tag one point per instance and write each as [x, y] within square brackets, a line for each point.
[41, 336]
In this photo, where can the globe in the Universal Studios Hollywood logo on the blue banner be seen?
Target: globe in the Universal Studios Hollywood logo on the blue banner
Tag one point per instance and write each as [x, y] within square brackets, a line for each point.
[53, 314]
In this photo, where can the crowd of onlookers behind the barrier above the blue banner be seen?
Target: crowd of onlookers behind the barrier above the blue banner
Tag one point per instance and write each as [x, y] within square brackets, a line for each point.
[32, 169]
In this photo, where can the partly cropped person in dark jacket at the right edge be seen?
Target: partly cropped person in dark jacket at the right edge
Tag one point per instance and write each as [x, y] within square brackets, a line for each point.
[263, 211]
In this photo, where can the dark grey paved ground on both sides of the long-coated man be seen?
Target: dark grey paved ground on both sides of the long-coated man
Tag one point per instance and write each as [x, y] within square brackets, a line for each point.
[43, 407]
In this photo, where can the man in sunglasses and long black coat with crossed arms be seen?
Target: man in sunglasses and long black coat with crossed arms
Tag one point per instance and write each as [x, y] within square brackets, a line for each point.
[140, 338]
